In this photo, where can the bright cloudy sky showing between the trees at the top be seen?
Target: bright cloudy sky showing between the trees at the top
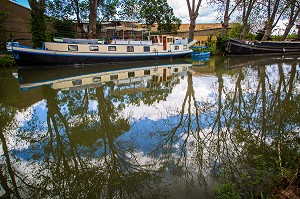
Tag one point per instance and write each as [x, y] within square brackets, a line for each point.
[206, 13]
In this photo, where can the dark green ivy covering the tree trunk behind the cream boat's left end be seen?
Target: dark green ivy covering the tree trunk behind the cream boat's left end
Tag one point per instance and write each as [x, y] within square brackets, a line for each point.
[38, 28]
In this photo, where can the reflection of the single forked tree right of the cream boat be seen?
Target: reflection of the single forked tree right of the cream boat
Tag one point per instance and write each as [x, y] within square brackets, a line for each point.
[179, 136]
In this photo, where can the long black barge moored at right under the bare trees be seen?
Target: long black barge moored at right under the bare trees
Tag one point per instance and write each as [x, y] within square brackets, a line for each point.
[237, 47]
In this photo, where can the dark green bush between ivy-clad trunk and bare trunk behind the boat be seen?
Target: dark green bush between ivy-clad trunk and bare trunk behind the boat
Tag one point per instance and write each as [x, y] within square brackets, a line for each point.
[63, 28]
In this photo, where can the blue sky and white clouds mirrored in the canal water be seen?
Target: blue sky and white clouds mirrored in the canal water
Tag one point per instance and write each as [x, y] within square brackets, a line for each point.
[150, 126]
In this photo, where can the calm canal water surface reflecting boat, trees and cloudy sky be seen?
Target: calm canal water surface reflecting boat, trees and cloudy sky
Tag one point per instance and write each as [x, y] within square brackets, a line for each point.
[159, 129]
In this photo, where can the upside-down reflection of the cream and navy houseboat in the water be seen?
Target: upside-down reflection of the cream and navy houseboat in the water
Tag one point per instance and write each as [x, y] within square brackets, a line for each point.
[94, 76]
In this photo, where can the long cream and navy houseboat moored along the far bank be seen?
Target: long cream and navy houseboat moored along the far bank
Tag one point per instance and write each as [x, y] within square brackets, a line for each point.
[72, 52]
